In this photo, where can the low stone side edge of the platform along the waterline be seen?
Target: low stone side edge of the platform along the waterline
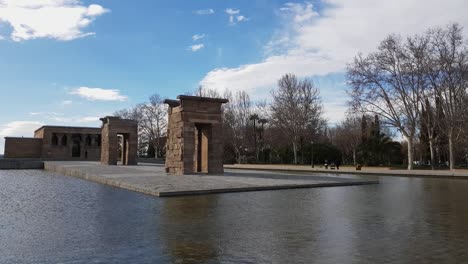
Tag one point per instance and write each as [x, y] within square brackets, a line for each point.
[99, 179]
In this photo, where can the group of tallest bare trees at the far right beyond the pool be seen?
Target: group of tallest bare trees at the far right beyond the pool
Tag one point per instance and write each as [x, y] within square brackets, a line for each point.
[418, 85]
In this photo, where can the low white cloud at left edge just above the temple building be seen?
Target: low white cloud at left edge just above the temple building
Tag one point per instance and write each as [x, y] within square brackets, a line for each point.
[17, 129]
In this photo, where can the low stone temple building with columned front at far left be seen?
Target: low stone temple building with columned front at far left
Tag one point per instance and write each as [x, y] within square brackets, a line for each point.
[57, 143]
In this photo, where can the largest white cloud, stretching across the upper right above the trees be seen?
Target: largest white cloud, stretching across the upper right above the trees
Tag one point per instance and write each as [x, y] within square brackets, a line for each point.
[312, 43]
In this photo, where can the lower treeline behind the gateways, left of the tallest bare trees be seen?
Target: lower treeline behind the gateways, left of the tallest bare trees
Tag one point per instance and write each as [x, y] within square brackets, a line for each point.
[289, 129]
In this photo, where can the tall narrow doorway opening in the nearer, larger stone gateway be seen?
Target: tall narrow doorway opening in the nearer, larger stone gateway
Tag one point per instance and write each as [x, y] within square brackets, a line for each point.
[202, 137]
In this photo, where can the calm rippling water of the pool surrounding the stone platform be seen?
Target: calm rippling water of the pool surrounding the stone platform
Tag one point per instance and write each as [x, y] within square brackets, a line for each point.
[48, 218]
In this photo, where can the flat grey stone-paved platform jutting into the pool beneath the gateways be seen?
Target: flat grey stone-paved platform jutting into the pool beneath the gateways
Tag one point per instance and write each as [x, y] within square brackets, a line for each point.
[152, 179]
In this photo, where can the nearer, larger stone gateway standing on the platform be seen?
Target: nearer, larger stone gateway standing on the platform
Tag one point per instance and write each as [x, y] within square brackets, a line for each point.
[195, 141]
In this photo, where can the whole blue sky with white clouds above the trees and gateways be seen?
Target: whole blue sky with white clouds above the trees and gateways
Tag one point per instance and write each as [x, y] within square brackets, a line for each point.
[70, 62]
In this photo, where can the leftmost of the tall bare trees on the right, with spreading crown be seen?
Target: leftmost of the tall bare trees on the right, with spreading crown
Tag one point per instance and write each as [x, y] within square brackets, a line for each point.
[389, 83]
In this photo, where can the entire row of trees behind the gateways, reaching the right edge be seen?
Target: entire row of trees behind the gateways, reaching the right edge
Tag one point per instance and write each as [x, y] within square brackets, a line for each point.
[416, 86]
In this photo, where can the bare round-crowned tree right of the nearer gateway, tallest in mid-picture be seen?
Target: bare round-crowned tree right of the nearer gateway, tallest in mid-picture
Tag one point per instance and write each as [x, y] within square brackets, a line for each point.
[296, 107]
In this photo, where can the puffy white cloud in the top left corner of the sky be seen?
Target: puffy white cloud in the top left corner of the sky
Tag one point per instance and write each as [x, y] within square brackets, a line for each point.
[56, 19]
